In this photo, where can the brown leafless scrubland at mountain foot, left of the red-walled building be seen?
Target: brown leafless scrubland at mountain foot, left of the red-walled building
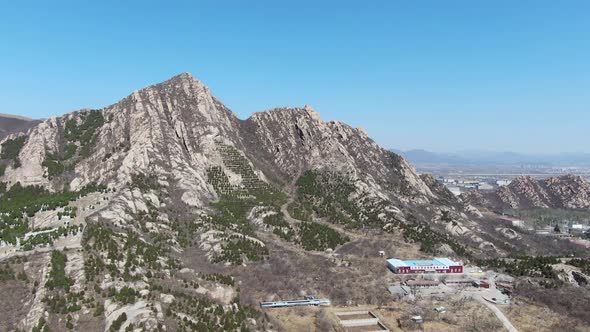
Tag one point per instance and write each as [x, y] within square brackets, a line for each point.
[356, 275]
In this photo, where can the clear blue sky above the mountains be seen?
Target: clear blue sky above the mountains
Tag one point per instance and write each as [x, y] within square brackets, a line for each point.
[440, 75]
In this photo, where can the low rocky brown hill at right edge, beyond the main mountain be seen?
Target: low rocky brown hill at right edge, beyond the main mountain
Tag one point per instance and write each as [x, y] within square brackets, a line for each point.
[564, 192]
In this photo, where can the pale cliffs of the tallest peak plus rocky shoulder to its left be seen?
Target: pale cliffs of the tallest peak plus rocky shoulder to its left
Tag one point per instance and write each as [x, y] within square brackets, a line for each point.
[168, 129]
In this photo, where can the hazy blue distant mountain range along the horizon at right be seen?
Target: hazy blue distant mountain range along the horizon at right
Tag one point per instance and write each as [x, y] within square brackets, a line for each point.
[480, 158]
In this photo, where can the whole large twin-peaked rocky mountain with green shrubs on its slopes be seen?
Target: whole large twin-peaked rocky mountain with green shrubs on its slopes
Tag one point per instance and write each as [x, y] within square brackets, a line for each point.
[150, 198]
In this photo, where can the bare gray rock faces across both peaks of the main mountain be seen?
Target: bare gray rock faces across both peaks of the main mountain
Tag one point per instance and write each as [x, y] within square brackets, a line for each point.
[173, 130]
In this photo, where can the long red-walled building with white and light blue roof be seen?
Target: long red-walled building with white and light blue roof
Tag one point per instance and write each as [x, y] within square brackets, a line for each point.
[436, 265]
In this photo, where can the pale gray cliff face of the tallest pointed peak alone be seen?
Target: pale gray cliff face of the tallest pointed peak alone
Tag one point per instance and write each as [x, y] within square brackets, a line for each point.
[168, 130]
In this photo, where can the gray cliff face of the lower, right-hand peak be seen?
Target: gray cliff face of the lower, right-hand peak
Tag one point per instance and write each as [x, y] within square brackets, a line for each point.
[295, 139]
